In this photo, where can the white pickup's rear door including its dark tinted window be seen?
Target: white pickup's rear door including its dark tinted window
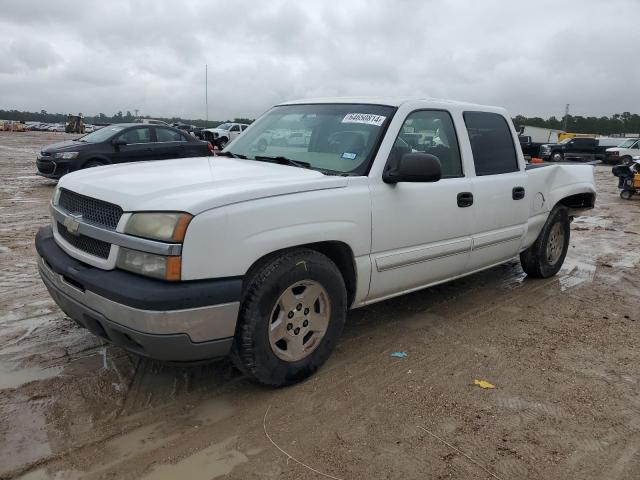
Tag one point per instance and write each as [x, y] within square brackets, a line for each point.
[500, 201]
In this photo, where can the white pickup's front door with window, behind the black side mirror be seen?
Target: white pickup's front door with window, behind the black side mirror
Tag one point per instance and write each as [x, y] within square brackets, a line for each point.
[421, 232]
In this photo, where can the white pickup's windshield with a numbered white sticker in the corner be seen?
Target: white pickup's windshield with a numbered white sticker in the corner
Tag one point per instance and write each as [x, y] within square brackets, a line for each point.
[336, 137]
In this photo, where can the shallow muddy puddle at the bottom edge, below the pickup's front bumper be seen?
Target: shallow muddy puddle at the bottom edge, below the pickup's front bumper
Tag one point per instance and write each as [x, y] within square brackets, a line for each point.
[212, 462]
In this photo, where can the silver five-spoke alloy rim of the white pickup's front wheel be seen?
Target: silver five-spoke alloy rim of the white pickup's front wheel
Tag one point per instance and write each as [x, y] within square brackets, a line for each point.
[299, 320]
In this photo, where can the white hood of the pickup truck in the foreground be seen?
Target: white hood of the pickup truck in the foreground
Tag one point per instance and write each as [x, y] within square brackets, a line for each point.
[194, 184]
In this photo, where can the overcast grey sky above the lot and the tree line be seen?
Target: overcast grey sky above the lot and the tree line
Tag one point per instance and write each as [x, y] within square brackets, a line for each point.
[532, 57]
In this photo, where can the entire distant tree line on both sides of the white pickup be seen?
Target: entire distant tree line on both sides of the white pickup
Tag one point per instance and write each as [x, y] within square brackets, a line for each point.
[619, 123]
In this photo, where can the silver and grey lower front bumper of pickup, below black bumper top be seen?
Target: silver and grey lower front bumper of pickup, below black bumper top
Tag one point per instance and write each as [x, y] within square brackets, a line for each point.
[179, 335]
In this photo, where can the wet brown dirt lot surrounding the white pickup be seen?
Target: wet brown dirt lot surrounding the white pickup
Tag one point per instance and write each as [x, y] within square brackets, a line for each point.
[564, 354]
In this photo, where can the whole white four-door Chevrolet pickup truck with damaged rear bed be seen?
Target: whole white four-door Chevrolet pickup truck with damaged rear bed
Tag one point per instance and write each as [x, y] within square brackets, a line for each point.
[259, 253]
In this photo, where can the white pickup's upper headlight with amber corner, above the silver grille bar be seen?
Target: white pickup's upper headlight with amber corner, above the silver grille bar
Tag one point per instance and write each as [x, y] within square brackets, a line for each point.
[163, 226]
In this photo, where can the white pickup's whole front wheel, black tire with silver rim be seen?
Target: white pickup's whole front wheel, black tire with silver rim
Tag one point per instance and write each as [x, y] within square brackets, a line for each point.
[292, 313]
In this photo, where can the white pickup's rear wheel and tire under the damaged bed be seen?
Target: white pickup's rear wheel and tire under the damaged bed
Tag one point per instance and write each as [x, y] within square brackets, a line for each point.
[545, 257]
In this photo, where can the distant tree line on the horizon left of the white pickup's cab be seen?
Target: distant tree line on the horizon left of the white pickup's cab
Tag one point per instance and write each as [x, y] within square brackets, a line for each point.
[45, 117]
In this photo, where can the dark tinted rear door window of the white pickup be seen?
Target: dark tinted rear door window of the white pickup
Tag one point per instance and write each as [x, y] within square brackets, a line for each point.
[491, 143]
